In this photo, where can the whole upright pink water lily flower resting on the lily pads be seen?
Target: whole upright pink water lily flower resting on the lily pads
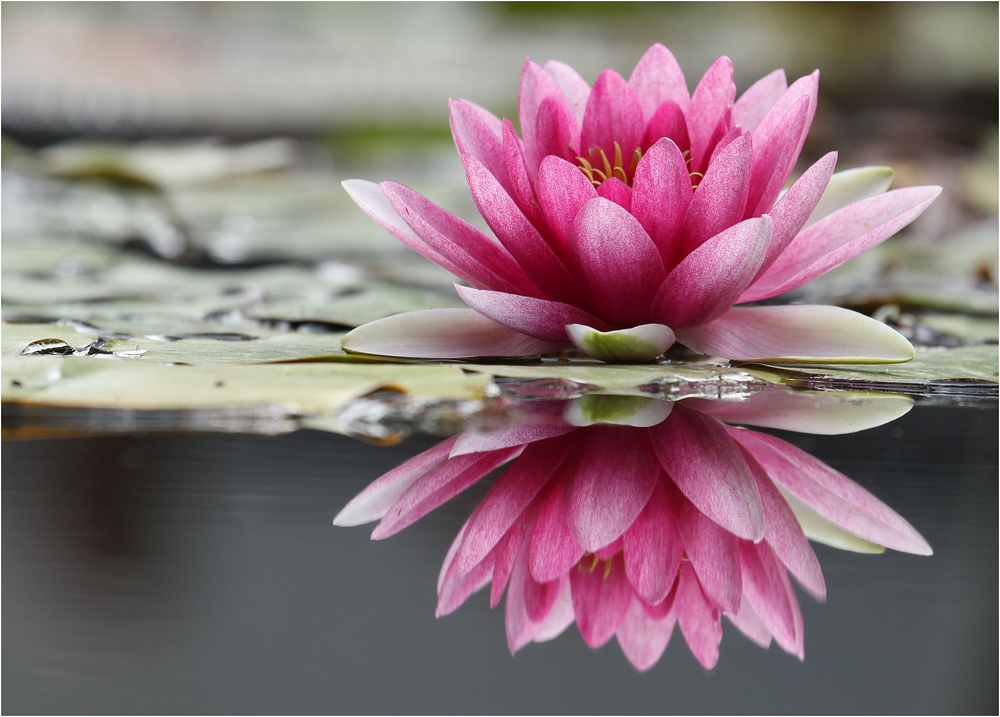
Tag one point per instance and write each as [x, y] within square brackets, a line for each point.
[632, 213]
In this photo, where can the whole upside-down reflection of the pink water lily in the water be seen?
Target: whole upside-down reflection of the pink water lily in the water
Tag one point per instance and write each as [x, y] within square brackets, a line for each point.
[673, 517]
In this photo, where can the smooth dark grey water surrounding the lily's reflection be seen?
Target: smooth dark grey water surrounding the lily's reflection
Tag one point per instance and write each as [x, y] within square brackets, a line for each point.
[201, 573]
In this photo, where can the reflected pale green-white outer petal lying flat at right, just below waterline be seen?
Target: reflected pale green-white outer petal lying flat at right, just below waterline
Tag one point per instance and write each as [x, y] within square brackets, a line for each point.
[814, 412]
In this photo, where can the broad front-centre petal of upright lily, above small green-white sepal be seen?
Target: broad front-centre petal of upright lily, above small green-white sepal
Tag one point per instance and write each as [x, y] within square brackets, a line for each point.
[617, 263]
